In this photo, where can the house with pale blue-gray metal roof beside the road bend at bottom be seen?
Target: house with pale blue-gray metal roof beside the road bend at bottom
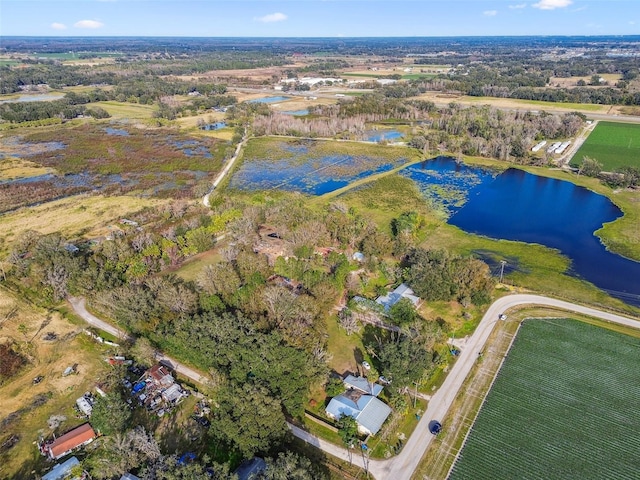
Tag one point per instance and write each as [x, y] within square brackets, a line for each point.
[368, 411]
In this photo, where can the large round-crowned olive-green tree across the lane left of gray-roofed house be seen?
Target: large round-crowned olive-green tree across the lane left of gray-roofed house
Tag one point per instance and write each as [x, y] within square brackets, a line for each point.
[249, 418]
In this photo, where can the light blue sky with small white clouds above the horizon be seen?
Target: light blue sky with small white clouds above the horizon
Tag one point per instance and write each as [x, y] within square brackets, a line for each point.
[323, 18]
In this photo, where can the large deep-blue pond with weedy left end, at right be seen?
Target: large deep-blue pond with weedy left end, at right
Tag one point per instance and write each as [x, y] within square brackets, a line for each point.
[516, 205]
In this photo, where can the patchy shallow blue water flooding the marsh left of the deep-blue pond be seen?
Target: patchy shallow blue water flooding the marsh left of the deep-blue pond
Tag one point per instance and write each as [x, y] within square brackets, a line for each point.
[300, 171]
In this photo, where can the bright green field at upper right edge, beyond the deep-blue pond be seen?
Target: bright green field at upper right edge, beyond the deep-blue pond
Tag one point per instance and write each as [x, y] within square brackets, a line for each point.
[612, 144]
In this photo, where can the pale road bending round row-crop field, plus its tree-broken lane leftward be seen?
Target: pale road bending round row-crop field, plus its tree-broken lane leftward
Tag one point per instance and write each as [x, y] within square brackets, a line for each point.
[403, 465]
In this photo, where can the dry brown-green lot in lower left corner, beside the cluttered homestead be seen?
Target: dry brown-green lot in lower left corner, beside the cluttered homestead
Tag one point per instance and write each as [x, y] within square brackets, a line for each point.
[57, 393]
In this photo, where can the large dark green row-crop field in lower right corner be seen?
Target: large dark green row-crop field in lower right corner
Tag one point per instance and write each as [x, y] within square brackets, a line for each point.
[564, 405]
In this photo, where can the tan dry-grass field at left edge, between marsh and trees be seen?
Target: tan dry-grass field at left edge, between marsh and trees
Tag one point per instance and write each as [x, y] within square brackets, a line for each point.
[81, 215]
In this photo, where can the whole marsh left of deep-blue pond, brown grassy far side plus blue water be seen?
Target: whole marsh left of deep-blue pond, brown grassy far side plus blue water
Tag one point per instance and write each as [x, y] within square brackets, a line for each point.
[313, 167]
